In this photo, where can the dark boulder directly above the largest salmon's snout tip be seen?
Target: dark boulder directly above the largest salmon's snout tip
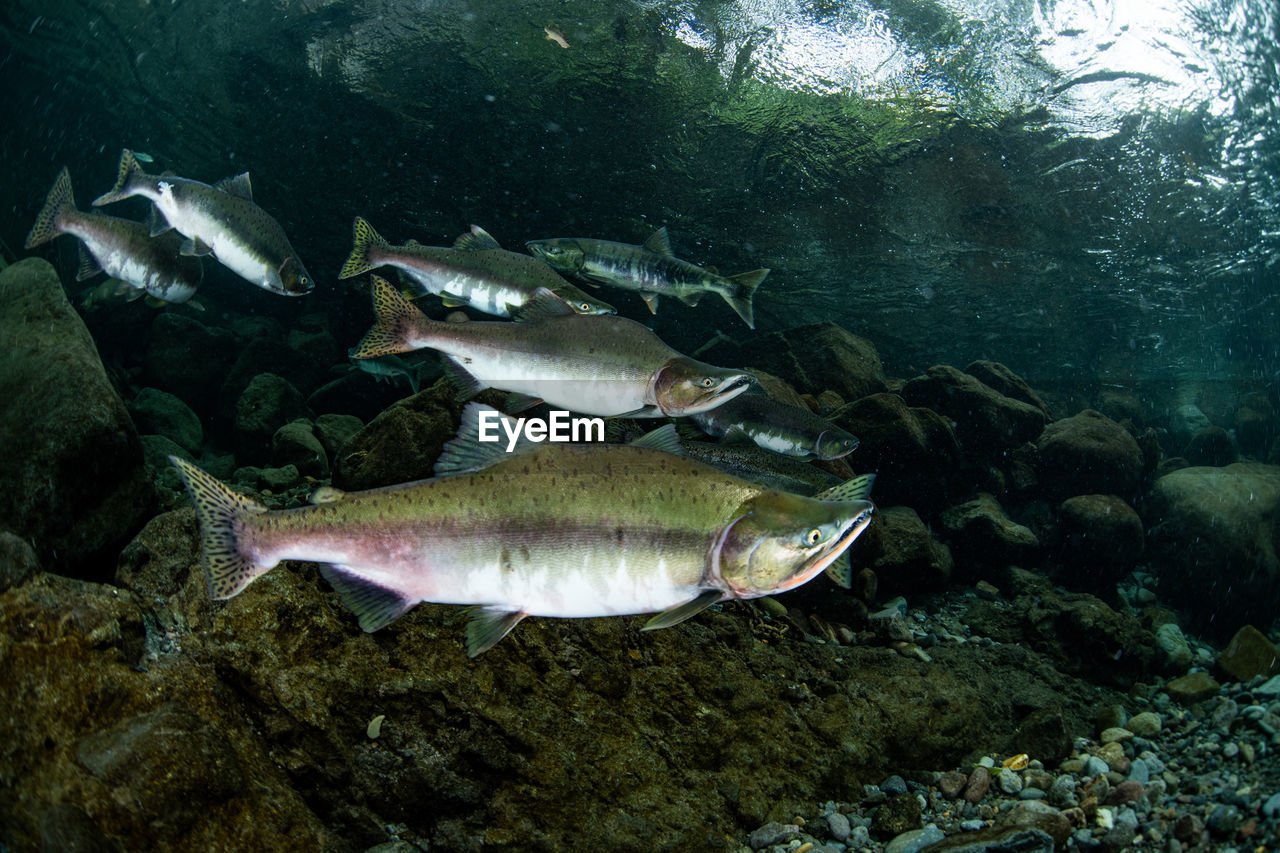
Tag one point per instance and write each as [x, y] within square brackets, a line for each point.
[915, 451]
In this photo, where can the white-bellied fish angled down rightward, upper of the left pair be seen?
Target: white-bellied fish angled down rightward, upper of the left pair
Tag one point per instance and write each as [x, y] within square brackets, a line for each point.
[222, 221]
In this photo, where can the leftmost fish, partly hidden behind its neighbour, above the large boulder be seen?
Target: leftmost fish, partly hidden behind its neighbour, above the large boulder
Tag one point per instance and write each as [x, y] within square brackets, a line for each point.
[125, 250]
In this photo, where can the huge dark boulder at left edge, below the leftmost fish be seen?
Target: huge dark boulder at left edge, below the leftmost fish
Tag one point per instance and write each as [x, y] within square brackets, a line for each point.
[76, 483]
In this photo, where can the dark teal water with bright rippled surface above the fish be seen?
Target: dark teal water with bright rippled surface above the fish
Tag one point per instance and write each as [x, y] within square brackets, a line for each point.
[1076, 189]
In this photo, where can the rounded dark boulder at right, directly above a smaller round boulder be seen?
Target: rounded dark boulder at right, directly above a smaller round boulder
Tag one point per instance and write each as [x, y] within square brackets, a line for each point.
[1089, 454]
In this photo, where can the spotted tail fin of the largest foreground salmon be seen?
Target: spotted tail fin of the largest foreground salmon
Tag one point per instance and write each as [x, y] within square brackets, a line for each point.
[221, 512]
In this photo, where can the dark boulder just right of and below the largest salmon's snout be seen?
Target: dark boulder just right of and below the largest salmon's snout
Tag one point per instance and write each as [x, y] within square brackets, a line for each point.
[900, 549]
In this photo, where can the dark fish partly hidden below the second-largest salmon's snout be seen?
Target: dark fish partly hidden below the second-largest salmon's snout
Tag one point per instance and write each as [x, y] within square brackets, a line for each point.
[778, 427]
